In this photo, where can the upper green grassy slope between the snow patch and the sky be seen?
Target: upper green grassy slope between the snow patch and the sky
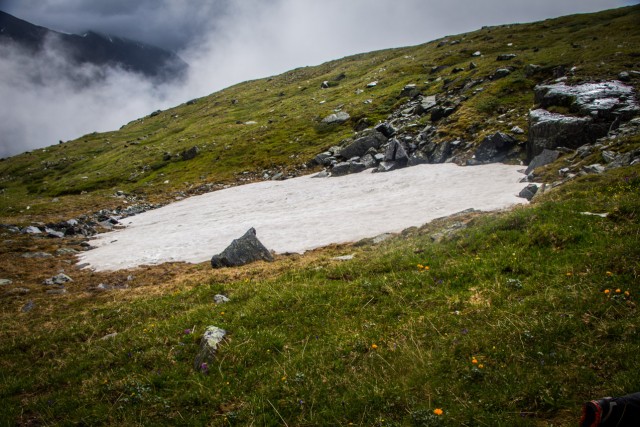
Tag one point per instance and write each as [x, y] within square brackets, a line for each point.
[288, 108]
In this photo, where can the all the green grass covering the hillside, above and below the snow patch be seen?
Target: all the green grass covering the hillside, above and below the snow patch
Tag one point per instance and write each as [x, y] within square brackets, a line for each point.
[496, 319]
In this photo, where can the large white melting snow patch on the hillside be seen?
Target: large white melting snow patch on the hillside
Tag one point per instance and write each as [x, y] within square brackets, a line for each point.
[304, 213]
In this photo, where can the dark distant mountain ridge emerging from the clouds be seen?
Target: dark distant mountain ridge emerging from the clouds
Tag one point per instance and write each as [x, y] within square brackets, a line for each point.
[94, 48]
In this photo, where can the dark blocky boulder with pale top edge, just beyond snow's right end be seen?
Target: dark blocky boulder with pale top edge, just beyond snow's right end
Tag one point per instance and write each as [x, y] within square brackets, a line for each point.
[552, 130]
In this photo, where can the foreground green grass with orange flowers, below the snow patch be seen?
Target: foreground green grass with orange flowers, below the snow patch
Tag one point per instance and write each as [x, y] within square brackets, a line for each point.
[522, 292]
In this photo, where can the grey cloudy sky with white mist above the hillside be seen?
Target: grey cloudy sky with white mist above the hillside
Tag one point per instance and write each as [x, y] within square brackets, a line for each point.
[226, 42]
